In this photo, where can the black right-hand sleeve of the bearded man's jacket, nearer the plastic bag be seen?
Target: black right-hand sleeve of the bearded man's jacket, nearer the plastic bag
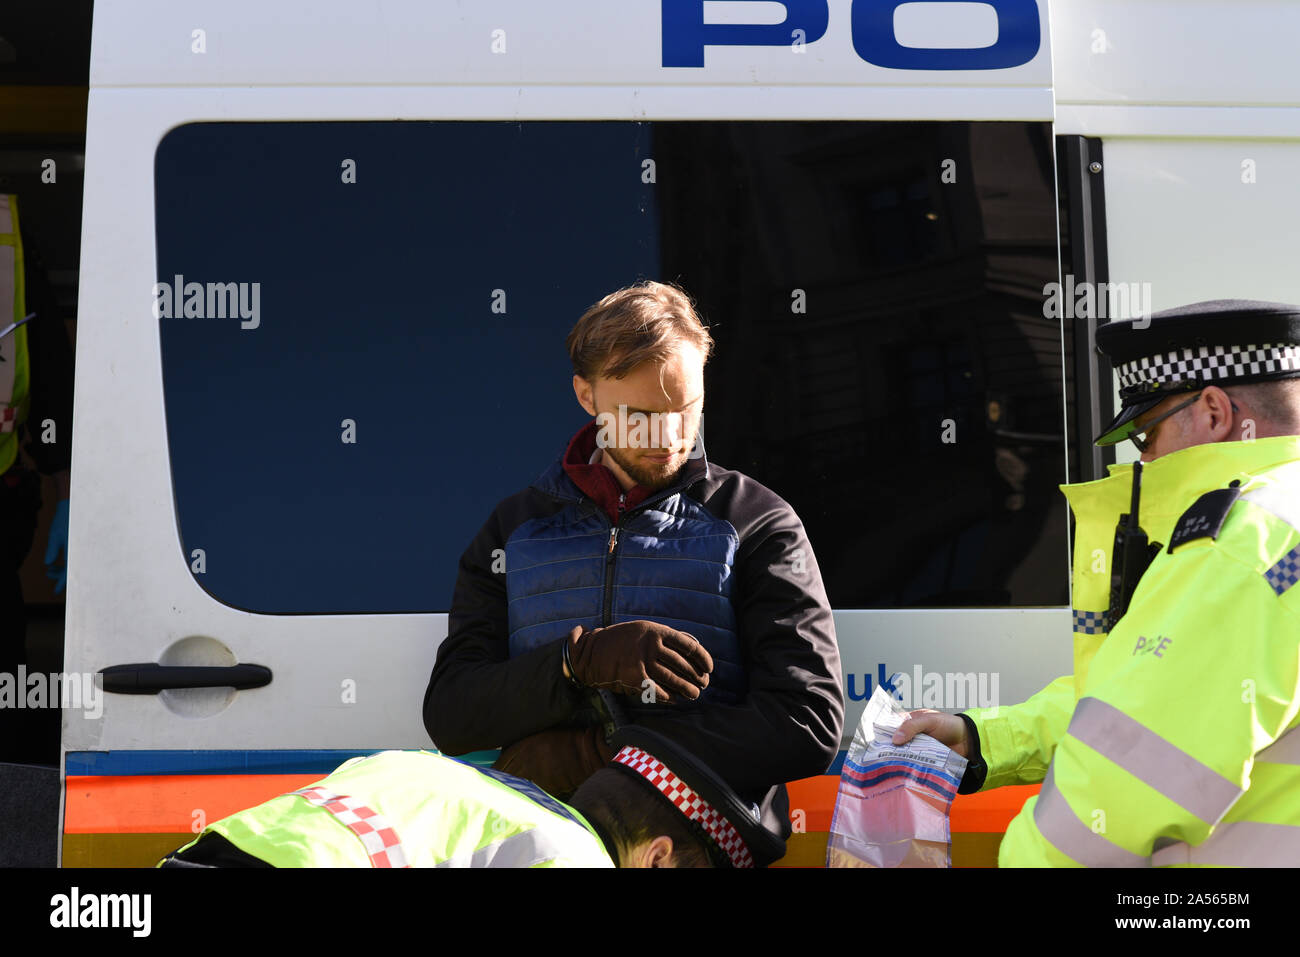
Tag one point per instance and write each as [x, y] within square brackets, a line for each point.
[791, 722]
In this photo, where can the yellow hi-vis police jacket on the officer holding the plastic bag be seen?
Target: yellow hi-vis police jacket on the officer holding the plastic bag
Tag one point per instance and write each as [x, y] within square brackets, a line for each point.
[1176, 741]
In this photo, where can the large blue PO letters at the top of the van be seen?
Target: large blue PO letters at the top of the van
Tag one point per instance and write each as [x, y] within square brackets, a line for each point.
[686, 34]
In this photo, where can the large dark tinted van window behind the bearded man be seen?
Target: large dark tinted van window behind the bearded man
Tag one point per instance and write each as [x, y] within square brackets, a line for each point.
[363, 328]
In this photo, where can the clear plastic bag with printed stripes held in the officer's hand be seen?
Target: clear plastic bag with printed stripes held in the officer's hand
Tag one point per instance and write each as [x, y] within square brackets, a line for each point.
[894, 800]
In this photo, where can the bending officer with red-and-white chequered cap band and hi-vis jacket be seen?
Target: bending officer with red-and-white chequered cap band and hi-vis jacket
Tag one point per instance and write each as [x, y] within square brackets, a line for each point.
[655, 806]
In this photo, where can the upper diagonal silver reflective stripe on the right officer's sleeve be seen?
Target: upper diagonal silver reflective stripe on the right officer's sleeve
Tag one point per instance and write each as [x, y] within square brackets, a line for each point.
[1152, 760]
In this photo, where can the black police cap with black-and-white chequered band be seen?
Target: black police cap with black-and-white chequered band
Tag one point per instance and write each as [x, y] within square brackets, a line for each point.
[1221, 343]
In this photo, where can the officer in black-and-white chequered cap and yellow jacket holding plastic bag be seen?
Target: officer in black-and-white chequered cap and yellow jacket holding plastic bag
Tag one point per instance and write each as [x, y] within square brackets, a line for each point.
[1176, 741]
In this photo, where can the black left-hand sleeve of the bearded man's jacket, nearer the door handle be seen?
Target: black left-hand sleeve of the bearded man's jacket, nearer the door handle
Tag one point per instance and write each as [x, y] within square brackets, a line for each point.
[479, 698]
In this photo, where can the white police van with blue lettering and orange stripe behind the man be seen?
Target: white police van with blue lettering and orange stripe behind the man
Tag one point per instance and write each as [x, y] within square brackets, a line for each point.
[331, 253]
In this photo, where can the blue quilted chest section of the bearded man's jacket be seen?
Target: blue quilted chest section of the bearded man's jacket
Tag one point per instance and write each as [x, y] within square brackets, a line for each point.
[668, 560]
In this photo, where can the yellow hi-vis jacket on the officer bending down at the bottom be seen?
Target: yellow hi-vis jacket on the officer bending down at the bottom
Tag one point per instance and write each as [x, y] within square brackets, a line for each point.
[415, 809]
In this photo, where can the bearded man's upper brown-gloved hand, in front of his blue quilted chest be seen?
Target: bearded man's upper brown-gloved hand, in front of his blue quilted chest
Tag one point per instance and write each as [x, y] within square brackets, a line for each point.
[623, 657]
